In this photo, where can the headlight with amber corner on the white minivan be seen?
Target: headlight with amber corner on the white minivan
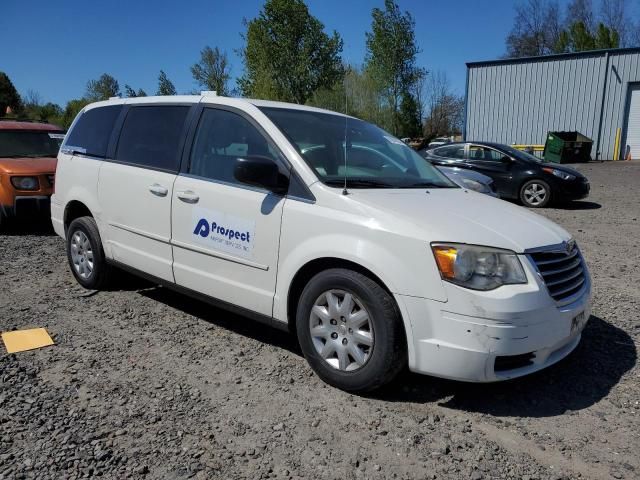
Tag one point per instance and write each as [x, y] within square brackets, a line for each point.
[478, 268]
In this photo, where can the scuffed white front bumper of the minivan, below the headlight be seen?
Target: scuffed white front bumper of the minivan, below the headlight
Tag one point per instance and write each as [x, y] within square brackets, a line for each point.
[491, 336]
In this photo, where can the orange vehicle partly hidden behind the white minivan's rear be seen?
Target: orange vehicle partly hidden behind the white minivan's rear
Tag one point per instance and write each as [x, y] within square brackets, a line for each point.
[28, 152]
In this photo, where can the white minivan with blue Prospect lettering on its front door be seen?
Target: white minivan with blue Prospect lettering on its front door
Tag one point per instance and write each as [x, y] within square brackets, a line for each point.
[321, 224]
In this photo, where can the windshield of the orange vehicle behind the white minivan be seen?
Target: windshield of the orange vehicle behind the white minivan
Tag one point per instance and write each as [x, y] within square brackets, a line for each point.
[26, 143]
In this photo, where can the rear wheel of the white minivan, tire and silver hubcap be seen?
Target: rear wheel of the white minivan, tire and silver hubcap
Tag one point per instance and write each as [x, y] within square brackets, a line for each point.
[86, 255]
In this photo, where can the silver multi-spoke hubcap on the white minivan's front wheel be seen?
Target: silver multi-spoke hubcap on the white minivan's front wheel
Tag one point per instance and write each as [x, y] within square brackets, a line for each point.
[341, 330]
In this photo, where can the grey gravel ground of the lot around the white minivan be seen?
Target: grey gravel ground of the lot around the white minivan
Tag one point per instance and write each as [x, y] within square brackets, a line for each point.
[143, 382]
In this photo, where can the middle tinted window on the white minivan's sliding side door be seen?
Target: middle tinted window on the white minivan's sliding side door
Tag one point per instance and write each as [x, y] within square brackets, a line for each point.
[151, 136]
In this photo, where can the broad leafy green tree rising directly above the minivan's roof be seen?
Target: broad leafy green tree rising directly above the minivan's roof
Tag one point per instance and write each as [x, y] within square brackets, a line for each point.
[287, 55]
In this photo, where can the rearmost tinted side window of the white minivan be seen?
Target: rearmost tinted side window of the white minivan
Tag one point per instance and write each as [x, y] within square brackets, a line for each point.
[92, 130]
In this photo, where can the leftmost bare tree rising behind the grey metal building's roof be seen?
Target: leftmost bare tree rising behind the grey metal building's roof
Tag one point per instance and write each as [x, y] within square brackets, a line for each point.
[536, 29]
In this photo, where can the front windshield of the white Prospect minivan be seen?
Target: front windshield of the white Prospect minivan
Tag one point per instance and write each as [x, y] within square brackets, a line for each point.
[338, 147]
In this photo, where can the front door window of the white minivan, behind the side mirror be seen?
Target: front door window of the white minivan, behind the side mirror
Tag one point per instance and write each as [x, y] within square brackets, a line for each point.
[223, 136]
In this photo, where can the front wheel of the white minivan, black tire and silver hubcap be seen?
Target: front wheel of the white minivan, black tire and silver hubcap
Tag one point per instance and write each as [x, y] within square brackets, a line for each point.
[341, 327]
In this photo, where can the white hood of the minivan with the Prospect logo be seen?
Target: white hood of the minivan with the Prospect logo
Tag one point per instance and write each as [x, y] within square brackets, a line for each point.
[457, 215]
